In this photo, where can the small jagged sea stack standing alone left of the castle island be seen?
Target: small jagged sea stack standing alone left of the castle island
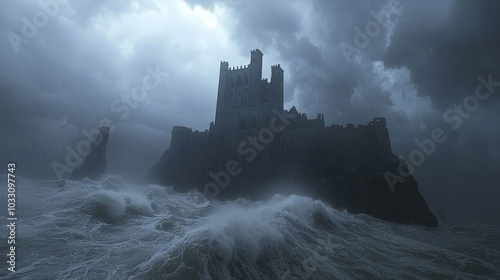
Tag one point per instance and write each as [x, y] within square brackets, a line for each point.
[95, 163]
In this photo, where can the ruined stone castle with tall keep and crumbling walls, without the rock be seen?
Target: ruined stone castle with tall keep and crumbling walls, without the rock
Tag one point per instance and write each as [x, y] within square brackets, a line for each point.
[246, 103]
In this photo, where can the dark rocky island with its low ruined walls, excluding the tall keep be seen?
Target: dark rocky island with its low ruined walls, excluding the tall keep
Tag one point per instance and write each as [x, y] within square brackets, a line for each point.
[344, 166]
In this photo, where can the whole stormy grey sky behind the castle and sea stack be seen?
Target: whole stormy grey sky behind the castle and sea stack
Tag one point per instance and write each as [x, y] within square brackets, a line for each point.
[423, 65]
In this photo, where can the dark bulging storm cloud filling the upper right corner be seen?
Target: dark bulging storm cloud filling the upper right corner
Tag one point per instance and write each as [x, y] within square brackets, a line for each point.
[446, 57]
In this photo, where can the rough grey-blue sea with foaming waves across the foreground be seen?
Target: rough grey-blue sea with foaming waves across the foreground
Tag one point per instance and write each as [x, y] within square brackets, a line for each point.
[111, 229]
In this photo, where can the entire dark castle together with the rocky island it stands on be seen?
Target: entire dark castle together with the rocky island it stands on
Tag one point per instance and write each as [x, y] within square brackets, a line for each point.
[254, 143]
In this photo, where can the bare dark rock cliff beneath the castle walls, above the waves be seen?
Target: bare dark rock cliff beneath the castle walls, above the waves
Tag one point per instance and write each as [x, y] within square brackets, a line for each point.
[343, 177]
